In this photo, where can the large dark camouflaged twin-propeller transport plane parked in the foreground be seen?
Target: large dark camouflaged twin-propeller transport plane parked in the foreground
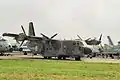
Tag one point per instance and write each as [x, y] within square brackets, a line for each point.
[49, 47]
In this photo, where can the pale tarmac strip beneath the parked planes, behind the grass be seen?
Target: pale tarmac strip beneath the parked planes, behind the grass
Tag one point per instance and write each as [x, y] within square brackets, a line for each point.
[20, 55]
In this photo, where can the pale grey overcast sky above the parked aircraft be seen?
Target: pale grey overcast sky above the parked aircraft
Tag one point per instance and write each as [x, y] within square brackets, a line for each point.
[88, 18]
